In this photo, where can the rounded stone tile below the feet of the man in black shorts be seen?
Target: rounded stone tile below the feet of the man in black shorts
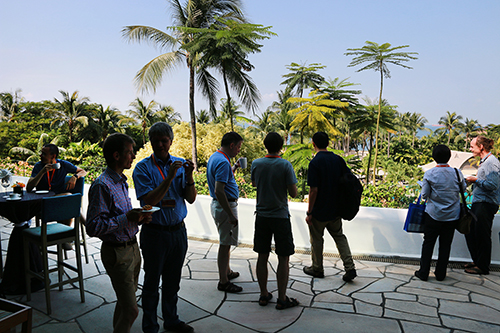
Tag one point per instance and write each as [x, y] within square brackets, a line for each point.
[270, 320]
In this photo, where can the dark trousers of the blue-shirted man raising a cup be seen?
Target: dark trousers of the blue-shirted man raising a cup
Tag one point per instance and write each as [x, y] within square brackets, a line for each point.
[163, 253]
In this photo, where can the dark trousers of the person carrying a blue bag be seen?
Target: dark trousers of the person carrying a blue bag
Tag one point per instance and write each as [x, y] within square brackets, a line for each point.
[432, 230]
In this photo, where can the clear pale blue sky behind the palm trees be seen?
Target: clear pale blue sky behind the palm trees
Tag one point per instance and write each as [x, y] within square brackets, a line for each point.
[52, 45]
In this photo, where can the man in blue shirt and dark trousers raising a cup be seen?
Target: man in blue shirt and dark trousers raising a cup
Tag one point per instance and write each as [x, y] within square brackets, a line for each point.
[164, 181]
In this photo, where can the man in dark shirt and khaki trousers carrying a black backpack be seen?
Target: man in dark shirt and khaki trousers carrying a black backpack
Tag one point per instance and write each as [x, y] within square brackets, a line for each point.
[325, 170]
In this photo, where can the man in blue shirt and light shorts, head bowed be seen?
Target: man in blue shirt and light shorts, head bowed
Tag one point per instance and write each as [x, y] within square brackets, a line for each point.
[224, 207]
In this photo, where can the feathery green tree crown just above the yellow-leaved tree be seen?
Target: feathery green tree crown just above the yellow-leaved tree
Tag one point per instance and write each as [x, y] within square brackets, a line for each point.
[302, 77]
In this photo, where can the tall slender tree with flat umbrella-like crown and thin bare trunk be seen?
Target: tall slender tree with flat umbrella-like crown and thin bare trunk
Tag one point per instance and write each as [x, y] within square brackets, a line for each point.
[377, 57]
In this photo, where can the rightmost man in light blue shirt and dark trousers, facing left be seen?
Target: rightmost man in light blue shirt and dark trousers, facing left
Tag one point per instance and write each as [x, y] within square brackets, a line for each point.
[485, 201]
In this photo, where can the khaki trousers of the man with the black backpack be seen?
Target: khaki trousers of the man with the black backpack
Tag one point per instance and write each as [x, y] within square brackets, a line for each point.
[316, 231]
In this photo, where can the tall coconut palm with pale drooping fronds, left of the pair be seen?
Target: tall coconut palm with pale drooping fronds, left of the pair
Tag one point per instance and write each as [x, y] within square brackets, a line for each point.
[193, 13]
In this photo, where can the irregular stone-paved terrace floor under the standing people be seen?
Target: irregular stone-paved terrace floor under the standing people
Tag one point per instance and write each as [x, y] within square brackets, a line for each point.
[385, 297]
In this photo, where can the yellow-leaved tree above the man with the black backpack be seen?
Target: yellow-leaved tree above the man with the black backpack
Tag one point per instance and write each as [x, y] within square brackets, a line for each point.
[314, 113]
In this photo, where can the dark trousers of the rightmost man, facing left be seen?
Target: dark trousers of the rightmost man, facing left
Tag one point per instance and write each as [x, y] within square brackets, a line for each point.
[479, 238]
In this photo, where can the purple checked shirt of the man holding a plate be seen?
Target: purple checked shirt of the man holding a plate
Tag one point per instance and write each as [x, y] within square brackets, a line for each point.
[108, 203]
